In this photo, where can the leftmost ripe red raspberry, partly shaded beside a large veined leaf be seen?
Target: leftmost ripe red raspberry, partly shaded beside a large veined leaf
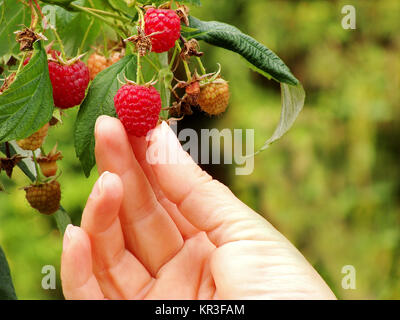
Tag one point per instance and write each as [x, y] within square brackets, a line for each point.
[69, 83]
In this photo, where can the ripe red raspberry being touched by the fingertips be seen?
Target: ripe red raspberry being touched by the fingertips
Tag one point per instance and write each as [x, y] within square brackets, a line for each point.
[138, 108]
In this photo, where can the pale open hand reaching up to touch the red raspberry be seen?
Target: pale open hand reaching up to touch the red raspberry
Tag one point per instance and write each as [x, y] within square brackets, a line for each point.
[169, 231]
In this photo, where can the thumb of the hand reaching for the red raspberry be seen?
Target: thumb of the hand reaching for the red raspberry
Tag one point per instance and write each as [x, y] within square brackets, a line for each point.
[206, 203]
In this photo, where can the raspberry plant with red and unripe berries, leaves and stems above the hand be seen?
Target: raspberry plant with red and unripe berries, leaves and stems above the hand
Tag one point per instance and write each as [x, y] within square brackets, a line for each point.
[132, 49]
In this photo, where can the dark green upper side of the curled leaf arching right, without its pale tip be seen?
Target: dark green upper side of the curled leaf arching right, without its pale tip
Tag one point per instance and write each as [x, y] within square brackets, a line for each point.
[229, 37]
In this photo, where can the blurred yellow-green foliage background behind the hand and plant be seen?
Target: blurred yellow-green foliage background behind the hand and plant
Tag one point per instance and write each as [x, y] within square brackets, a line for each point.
[331, 185]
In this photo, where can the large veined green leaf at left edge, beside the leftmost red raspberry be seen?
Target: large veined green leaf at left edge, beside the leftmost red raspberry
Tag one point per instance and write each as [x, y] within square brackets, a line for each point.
[27, 104]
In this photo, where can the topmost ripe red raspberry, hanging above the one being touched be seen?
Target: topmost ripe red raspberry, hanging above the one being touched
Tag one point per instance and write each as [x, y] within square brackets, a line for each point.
[167, 23]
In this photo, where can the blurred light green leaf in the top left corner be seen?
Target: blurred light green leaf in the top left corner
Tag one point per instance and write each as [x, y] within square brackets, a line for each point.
[13, 14]
